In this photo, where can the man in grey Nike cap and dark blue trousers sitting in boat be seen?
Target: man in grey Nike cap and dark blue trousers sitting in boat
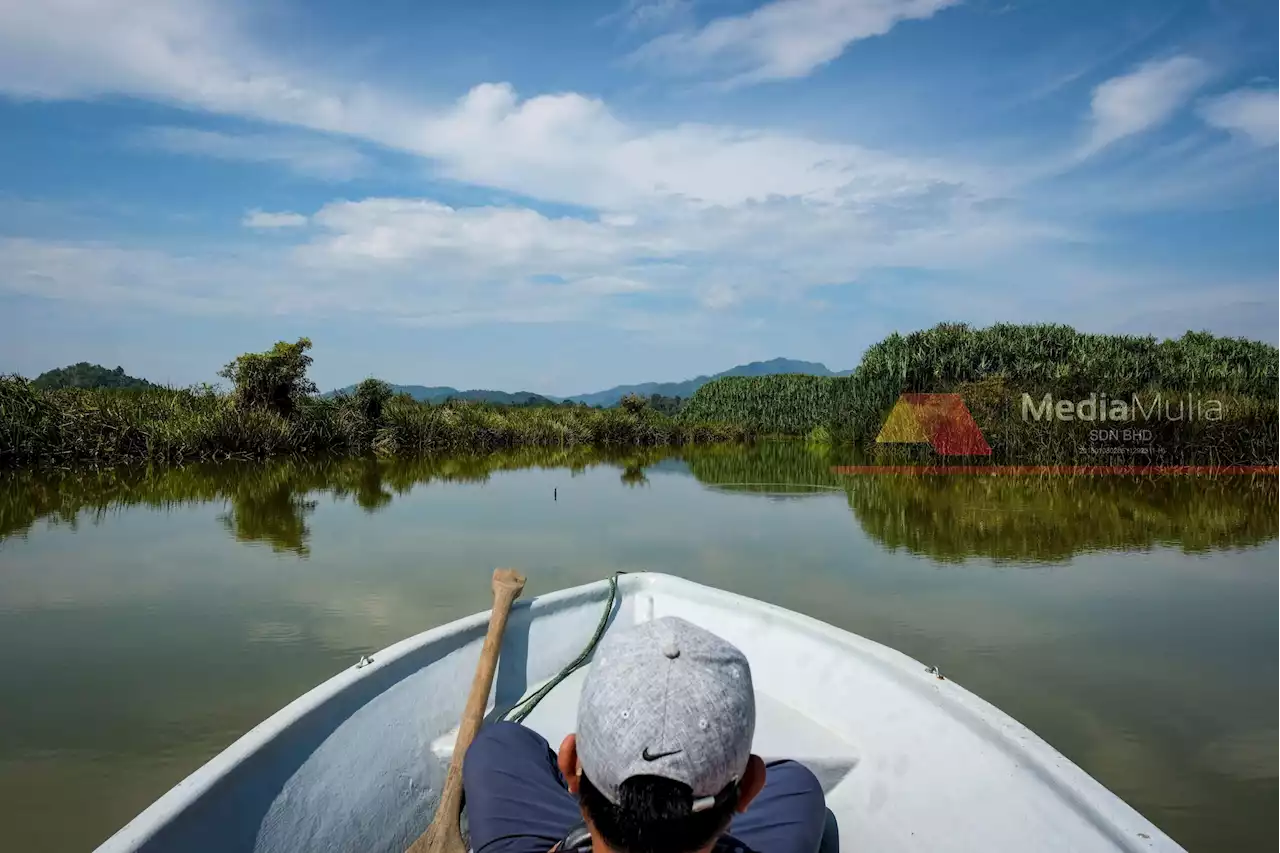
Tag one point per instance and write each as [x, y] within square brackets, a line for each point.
[661, 763]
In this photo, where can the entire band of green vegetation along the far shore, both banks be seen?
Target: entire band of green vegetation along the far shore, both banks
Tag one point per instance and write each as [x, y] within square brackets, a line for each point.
[273, 407]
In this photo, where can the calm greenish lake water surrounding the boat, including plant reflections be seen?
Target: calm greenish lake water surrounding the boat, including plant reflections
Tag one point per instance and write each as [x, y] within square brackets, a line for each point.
[148, 619]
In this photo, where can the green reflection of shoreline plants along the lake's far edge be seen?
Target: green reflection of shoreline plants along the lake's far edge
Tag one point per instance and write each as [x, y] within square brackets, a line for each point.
[948, 519]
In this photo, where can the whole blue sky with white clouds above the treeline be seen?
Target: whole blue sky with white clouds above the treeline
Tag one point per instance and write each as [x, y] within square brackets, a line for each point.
[565, 197]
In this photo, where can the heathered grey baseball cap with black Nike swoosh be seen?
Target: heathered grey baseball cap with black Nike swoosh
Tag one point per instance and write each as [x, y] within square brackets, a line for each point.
[666, 699]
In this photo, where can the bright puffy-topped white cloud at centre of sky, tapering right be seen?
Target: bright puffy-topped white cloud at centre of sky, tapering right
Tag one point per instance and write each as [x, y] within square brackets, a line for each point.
[569, 148]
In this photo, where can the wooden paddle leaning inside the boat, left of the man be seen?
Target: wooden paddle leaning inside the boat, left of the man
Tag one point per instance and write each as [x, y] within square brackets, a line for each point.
[445, 834]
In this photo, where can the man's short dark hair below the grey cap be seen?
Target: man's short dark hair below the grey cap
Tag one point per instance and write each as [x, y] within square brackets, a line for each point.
[655, 816]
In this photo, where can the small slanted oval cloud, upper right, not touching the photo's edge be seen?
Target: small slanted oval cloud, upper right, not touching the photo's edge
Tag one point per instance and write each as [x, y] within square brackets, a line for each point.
[1144, 99]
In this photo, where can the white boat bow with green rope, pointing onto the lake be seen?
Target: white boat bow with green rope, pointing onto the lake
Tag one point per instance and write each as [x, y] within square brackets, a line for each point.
[909, 761]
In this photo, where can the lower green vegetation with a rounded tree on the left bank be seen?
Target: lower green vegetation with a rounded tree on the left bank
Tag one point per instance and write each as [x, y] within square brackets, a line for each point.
[273, 410]
